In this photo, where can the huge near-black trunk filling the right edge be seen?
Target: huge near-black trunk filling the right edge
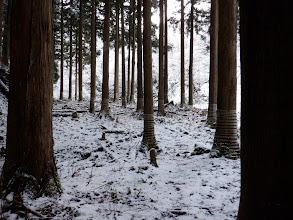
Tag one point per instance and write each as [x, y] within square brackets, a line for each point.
[266, 110]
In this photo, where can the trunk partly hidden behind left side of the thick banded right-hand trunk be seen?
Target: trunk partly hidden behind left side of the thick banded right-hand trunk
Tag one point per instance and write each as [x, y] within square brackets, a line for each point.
[213, 81]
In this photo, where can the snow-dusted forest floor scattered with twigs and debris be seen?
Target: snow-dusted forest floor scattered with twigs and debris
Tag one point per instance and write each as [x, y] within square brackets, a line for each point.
[106, 177]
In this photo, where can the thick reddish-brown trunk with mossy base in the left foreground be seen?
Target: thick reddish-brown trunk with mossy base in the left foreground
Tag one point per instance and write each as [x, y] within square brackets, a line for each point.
[29, 153]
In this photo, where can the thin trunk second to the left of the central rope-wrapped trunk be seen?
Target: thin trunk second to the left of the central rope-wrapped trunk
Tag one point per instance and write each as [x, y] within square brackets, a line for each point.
[133, 53]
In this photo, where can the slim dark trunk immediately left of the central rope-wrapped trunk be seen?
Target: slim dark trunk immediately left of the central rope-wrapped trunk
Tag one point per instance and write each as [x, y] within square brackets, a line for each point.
[139, 59]
